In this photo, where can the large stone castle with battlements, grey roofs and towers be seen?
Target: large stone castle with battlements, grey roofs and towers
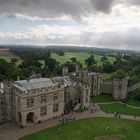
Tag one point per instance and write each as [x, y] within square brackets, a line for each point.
[34, 100]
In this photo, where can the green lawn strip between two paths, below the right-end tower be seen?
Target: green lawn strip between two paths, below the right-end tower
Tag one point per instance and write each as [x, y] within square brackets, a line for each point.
[111, 108]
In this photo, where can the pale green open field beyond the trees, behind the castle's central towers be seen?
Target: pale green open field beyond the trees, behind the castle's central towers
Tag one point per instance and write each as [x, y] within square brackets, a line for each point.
[81, 56]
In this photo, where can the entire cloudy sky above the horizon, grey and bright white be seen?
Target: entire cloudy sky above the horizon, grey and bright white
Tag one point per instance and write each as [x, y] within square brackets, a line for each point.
[98, 23]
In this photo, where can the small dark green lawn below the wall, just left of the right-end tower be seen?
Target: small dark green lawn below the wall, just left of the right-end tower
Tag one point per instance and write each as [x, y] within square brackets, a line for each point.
[103, 98]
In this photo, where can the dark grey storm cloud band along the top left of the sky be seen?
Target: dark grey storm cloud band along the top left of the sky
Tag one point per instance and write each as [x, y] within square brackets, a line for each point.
[55, 8]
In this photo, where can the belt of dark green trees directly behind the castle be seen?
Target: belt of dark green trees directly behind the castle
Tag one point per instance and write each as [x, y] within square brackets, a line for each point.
[124, 65]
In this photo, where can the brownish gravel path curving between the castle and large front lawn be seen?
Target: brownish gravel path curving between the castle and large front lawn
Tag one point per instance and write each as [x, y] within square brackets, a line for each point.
[13, 132]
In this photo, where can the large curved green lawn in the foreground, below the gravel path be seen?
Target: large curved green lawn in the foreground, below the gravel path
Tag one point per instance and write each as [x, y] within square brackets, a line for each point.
[91, 129]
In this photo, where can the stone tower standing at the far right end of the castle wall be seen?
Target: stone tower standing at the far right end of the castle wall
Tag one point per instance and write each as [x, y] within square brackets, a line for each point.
[120, 88]
